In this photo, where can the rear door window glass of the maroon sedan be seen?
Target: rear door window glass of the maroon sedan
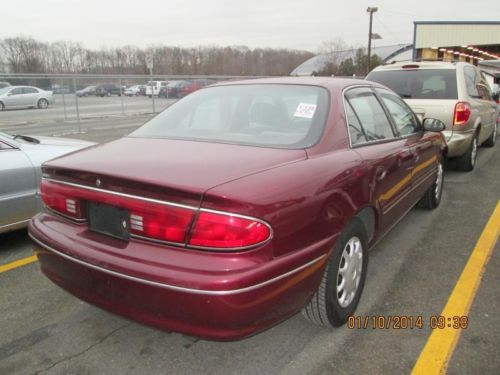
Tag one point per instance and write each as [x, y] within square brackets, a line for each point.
[370, 114]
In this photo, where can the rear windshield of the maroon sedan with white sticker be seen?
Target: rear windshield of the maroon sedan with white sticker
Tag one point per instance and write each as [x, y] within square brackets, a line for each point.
[269, 115]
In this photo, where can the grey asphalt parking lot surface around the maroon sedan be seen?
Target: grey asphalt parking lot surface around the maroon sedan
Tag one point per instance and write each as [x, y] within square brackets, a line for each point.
[411, 273]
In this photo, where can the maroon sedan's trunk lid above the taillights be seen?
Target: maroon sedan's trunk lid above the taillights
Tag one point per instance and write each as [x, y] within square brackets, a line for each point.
[174, 170]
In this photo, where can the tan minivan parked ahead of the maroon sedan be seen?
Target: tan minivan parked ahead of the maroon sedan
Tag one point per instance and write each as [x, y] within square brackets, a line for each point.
[453, 92]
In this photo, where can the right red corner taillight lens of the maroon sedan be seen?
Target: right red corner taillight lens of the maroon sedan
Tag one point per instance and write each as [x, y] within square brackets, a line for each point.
[218, 230]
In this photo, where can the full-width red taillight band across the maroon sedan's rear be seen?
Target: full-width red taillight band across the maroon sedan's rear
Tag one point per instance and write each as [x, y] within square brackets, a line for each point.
[158, 220]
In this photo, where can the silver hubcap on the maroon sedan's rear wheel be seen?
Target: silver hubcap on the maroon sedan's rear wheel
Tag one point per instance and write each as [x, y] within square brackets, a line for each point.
[349, 273]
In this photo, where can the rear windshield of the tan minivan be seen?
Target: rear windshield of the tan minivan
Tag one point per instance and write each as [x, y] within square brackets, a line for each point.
[419, 83]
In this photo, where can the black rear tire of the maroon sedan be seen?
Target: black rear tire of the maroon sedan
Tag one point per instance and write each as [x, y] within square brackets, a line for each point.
[325, 307]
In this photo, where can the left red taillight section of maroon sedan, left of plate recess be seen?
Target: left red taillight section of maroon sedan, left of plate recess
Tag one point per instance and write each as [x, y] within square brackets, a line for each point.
[60, 198]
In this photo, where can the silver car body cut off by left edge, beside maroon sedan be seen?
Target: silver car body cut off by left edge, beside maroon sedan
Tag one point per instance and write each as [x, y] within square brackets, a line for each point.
[18, 186]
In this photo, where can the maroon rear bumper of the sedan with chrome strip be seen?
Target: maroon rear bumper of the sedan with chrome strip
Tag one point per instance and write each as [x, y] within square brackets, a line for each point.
[221, 304]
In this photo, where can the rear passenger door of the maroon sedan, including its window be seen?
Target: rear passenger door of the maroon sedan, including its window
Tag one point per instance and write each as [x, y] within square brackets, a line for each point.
[387, 159]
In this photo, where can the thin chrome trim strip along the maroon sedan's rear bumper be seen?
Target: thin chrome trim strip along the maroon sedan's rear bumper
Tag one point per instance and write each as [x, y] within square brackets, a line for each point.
[174, 287]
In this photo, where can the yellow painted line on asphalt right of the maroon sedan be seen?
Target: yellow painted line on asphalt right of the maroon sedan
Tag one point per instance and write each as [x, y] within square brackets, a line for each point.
[441, 344]
